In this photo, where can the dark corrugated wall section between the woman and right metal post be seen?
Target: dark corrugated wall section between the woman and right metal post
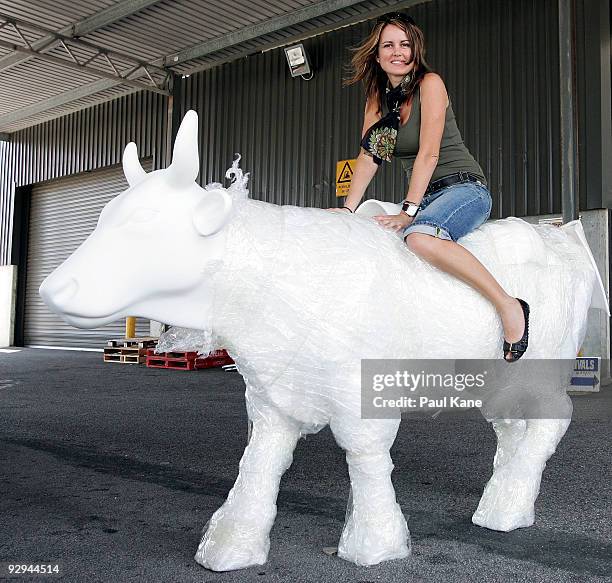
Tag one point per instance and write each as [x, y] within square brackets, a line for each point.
[500, 62]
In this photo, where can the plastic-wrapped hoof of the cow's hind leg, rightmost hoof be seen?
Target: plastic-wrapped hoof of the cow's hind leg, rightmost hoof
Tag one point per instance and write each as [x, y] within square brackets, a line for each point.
[508, 500]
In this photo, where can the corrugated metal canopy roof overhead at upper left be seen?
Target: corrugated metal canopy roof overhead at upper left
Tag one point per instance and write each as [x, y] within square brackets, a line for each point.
[34, 90]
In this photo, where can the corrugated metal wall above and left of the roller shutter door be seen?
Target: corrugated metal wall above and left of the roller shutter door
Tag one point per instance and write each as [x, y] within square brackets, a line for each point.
[87, 140]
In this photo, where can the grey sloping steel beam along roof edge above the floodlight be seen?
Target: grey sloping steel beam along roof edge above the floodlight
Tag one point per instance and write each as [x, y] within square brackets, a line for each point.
[256, 30]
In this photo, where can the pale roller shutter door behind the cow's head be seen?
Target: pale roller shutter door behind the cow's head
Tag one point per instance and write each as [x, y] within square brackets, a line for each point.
[62, 215]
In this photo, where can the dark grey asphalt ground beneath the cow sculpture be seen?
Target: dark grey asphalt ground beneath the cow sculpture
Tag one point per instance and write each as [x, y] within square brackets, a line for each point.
[112, 470]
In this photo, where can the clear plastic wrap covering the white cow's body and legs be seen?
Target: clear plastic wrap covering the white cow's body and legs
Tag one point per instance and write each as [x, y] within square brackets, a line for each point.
[277, 311]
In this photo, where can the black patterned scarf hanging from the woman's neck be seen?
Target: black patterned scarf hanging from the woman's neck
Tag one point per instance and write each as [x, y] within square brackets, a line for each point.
[379, 140]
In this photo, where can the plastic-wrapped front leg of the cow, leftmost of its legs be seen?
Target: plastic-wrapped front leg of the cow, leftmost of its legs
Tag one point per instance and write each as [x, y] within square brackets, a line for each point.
[238, 534]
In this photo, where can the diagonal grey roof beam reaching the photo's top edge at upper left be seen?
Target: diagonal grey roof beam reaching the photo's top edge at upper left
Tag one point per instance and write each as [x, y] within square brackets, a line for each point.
[100, 19]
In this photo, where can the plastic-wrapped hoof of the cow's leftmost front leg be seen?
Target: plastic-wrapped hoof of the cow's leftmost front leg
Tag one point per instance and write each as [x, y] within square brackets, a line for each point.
[229, 545]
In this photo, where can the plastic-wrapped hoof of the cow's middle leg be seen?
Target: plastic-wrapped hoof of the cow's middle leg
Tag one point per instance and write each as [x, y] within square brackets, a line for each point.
[371, 540]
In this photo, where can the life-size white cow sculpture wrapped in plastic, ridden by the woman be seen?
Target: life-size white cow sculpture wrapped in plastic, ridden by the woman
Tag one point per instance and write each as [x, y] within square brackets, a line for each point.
[298, 296]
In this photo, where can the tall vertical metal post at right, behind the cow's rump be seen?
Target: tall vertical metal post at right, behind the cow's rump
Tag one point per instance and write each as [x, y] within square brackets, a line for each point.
[566, 74]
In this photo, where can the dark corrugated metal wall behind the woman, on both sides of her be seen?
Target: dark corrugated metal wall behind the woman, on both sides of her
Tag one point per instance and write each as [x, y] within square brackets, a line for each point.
[499, 61]
